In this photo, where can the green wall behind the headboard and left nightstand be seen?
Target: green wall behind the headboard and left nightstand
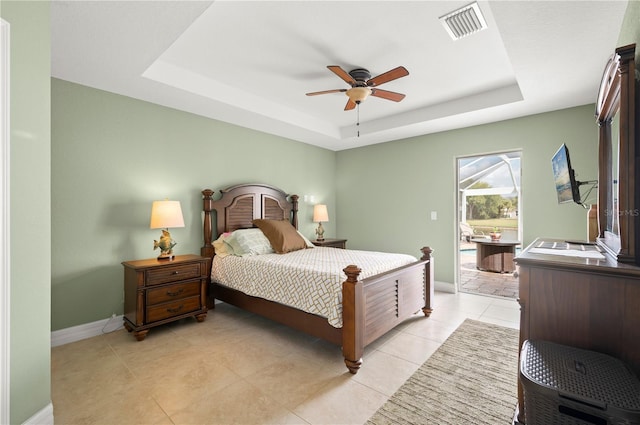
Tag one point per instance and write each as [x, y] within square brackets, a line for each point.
[112, 156]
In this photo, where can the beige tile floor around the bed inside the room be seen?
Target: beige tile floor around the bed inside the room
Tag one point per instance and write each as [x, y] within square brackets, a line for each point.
[238, 368]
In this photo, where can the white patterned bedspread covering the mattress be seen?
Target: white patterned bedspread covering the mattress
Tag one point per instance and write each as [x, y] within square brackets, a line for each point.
[309, 279]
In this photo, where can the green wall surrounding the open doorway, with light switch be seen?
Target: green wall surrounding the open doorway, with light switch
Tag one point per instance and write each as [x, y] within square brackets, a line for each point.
[386, 192]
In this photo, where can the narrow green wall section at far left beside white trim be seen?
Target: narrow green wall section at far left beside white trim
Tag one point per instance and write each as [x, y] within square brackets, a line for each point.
[30, 207]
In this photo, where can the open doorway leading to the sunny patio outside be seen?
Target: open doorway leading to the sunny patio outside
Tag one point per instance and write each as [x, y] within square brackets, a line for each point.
[488, 206]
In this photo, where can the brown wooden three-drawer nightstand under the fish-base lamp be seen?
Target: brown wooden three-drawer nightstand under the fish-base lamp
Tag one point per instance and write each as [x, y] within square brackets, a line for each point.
[158, 292]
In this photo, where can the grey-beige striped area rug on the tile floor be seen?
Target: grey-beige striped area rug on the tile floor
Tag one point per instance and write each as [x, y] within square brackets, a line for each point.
[470, 379]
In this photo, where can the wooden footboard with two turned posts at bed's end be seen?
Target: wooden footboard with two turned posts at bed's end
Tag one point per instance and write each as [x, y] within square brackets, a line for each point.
[373, 306]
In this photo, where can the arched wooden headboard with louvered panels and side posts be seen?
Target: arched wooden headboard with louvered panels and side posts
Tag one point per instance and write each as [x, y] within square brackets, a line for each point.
[240, 205]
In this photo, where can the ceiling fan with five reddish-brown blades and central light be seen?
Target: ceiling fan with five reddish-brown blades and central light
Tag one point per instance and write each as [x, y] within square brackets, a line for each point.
[362, 85]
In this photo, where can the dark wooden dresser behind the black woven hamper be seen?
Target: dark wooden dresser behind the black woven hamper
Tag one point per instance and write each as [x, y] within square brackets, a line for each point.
[581, 302]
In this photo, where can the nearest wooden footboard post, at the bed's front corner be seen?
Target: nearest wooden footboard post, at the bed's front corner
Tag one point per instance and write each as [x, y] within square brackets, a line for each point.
[352, 319]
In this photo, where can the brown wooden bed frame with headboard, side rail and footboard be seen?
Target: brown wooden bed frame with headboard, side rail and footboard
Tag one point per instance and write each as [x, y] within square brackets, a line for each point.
[370, 306]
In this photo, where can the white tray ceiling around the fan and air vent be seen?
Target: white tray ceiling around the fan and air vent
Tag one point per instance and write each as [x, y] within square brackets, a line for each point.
[250, 63]
